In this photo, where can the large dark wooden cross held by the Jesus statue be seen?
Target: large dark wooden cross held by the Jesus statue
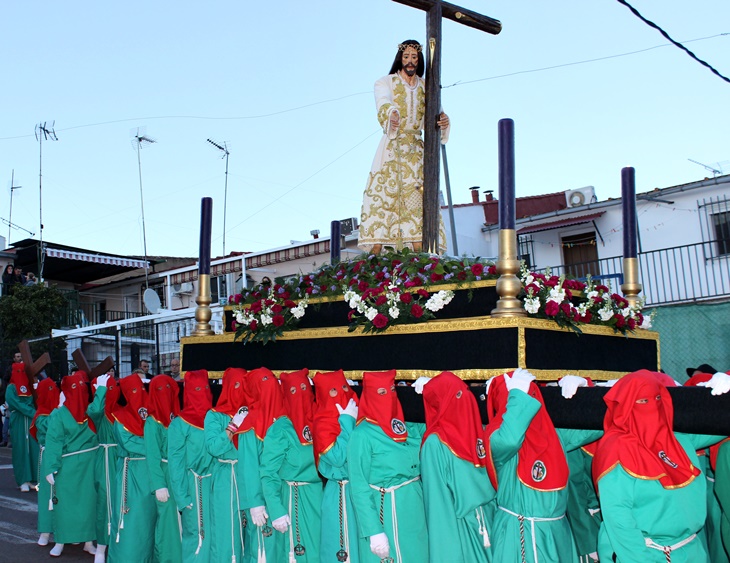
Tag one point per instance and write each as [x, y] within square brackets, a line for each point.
[436, 10]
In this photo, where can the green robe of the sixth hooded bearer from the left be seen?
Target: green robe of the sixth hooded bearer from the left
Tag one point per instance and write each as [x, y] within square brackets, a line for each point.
[167, 528]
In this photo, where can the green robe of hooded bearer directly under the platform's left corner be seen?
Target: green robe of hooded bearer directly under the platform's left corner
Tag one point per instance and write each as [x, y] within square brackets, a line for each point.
[189, 469]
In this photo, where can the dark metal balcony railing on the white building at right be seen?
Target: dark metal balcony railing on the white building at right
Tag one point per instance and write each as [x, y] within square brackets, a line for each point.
[682, 274]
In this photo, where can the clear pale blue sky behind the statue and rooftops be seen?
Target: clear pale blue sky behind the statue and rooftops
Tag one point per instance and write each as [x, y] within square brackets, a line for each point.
[288, 85]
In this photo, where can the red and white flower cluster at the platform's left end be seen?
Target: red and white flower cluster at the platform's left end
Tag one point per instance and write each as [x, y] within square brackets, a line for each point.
[268, 316]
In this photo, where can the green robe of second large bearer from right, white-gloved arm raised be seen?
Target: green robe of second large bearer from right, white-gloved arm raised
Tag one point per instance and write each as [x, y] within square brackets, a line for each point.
[553, 539]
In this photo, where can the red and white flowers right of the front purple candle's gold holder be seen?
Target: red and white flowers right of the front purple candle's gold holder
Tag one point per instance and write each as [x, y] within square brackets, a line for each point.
[552, 297]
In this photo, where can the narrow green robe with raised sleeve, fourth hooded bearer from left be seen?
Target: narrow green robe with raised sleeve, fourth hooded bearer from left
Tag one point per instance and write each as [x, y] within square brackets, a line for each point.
[106, 463]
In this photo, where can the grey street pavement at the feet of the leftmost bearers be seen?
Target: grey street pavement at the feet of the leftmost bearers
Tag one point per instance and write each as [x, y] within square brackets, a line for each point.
[18, 520]
